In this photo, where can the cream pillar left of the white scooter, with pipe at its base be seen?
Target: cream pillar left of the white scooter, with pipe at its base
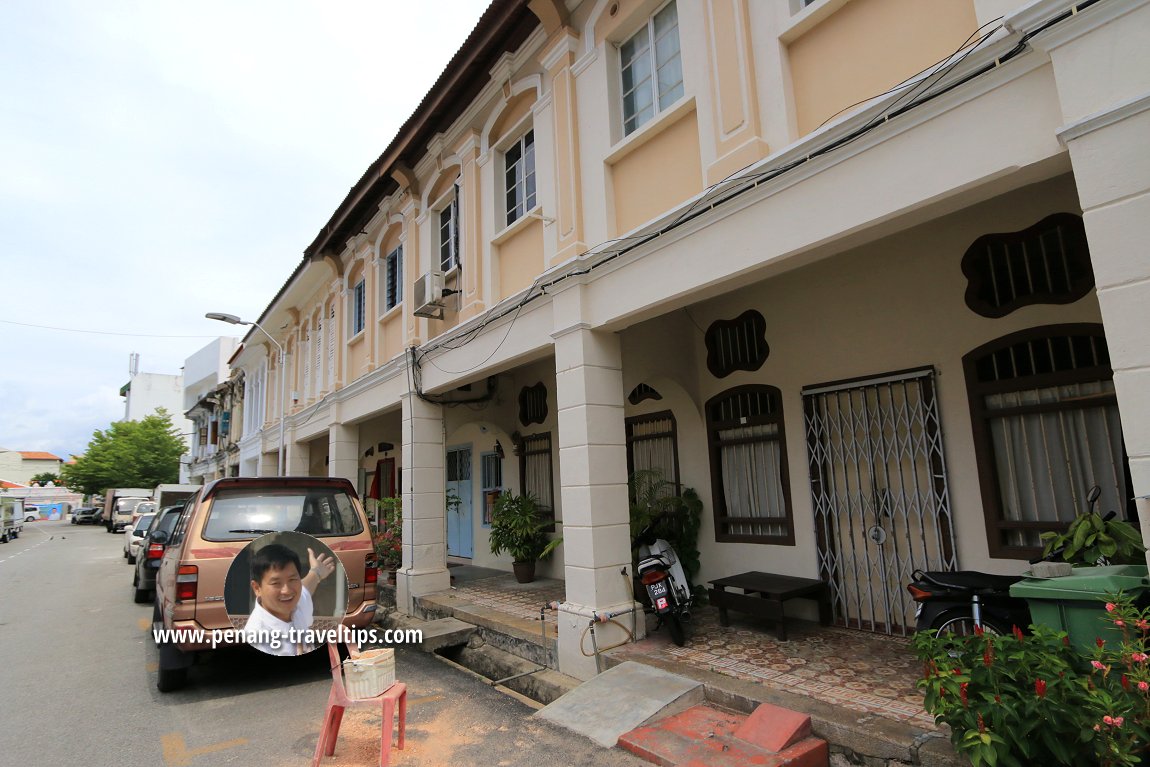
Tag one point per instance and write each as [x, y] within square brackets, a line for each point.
[593, 470]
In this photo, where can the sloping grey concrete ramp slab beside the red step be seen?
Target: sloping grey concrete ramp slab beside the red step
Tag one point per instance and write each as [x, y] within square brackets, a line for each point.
[620, 700]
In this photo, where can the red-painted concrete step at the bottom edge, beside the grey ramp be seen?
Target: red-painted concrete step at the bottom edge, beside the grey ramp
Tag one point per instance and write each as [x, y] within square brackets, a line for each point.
[704, 735]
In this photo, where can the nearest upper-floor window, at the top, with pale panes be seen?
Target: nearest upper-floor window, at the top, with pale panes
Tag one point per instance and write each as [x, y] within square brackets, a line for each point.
[653, 73]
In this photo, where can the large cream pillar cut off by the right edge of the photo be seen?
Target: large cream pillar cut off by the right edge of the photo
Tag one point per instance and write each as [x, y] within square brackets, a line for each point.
[1102, 72]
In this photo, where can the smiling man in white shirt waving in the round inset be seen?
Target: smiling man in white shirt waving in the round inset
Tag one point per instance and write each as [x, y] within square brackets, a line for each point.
[283, 599]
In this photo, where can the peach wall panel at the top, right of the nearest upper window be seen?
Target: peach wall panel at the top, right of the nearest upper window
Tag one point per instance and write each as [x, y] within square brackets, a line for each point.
[853, 56]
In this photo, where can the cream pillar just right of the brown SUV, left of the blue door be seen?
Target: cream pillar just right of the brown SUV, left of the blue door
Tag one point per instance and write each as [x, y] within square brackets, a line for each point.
[425, 567]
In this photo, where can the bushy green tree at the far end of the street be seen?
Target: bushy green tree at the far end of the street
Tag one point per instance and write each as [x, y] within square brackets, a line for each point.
[128, 455]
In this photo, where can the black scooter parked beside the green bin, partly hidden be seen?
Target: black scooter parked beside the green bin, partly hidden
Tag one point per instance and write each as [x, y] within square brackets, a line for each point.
[962, 602]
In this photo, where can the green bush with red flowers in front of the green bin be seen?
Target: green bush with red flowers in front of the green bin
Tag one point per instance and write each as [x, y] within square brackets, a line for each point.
[1023, 700]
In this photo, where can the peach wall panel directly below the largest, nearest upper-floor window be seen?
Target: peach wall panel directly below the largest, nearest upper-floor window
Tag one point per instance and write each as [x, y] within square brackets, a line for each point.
[658, 175]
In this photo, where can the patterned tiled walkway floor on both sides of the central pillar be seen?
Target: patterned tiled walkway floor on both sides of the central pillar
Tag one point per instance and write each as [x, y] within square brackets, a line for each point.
[860, 671]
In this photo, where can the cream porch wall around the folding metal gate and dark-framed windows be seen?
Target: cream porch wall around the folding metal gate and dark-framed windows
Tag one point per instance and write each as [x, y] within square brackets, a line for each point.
[892, 305]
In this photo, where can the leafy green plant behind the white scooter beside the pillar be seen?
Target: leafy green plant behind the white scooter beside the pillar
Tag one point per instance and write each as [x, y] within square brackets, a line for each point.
[677, 516]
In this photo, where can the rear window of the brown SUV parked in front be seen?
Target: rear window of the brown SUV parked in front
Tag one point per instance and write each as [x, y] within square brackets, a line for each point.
[244, 515]
